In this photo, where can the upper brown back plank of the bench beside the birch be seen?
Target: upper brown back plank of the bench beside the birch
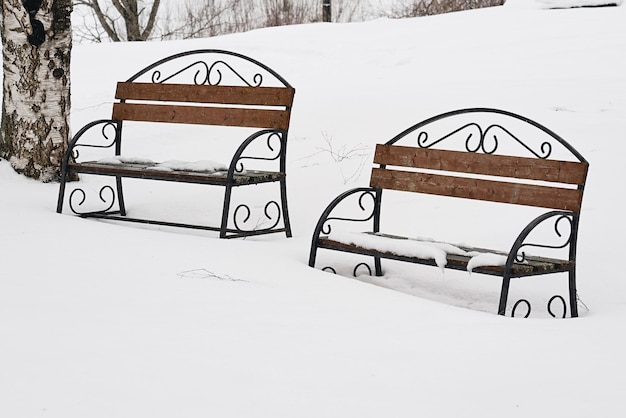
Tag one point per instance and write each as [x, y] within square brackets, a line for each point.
[260, 96]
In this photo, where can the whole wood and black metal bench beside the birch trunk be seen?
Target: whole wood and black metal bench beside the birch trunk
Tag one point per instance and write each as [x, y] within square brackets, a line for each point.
[202, 87]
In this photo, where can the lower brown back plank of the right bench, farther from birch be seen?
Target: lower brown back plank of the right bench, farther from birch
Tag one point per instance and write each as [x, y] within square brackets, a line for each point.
[478, 189]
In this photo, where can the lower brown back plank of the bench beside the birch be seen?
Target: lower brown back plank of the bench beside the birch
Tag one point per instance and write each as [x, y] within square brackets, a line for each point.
[252, 118]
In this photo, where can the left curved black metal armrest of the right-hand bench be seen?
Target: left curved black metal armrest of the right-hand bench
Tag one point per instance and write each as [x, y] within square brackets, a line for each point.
[359, 194]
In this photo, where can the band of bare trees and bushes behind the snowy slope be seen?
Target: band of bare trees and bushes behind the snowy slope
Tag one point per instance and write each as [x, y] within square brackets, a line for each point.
[138, 20]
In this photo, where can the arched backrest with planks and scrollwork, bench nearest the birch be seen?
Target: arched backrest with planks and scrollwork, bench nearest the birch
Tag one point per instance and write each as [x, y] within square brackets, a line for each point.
[206, 87]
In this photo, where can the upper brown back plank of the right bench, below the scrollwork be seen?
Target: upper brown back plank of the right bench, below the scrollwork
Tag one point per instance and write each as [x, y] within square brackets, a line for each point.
[567, 172]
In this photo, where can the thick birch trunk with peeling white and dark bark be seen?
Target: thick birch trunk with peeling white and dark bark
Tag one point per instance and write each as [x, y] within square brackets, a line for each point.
[36, 46]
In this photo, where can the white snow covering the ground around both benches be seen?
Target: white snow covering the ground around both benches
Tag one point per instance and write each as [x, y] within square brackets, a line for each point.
[108, 320]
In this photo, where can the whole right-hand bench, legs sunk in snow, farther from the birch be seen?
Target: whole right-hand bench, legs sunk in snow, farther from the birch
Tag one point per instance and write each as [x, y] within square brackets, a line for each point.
[473, 172]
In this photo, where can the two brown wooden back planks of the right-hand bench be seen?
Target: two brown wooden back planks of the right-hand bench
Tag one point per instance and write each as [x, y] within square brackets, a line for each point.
[471, 164]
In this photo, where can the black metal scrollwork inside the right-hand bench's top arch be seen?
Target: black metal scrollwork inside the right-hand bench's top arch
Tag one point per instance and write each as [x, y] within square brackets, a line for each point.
[485, 142]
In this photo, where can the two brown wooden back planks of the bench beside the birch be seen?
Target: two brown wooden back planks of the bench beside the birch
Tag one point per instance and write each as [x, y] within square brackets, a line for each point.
[260, 107]
